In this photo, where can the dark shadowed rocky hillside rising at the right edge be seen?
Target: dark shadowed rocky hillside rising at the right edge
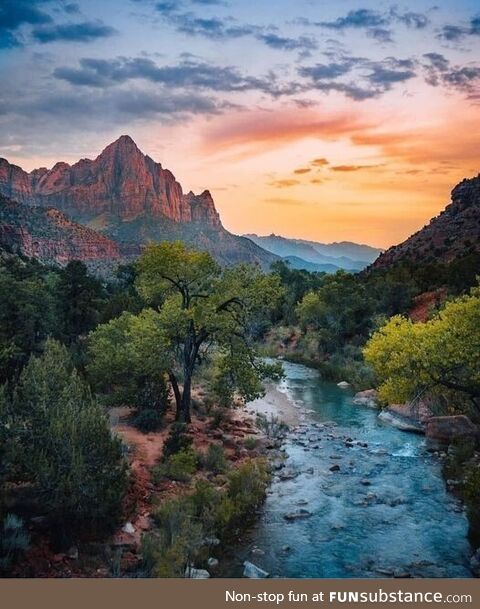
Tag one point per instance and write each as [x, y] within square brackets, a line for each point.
[453, 233]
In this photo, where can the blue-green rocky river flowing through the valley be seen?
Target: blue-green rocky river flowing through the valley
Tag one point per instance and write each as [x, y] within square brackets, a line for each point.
[385, 512]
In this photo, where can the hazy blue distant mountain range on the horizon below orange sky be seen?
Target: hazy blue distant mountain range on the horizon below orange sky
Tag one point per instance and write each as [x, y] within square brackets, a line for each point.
[314, 256]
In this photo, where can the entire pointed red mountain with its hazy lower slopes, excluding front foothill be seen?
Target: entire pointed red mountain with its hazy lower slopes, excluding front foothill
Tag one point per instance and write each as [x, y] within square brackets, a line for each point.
[129, 197]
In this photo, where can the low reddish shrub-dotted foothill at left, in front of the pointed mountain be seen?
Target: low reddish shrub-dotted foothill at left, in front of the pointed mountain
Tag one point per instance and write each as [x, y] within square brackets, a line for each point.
[49, 236]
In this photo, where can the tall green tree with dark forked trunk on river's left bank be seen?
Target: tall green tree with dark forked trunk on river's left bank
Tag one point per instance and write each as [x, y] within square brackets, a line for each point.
[200, 306]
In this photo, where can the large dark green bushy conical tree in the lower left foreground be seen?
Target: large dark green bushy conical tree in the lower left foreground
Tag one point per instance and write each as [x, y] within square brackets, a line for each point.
[65, 447]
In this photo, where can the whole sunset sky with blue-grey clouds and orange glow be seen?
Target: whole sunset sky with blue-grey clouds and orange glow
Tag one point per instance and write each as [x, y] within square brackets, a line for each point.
[325, 120]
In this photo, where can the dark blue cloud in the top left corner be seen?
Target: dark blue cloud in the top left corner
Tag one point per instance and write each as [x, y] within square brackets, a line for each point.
[16, 13]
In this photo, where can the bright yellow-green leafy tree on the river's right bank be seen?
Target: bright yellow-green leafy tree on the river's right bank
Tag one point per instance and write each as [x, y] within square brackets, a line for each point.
[438, 357]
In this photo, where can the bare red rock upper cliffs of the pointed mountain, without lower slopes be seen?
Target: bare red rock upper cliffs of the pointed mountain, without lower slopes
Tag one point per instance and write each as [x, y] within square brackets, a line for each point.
[121, 182]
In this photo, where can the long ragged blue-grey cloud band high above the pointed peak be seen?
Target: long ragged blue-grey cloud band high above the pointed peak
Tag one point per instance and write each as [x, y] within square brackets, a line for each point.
[190, 74]
